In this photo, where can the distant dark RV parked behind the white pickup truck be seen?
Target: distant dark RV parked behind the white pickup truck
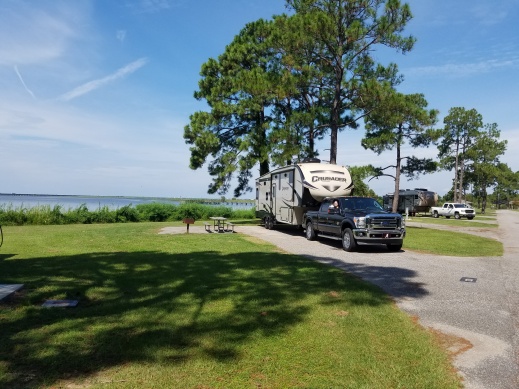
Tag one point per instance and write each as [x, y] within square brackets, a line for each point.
[412, 201]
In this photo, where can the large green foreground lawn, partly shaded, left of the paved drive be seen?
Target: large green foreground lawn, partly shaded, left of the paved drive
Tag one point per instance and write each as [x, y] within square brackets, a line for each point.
[198, 311]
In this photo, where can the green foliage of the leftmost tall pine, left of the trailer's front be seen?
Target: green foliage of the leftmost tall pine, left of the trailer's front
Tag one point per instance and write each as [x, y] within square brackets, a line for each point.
[238, 88]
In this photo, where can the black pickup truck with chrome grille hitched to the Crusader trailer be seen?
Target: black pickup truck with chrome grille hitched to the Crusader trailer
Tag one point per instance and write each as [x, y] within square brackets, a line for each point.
[355, 220]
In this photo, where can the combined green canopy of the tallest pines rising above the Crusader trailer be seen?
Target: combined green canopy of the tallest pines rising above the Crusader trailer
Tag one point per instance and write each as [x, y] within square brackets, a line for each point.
[280, 85]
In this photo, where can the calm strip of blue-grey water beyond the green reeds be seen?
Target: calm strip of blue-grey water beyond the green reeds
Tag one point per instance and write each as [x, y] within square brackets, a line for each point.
[93, 203]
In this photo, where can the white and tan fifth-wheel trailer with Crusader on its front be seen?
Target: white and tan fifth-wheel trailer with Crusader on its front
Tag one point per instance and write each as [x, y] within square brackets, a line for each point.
[285, 194]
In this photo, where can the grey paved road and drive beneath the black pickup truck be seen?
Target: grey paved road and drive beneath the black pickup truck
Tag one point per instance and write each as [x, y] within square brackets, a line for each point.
[483, 315]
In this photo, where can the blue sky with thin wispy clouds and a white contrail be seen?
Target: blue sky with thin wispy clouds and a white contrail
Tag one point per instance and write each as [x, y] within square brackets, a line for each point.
[94, 95]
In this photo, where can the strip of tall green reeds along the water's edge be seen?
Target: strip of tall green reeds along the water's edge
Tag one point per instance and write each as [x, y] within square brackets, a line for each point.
[153, 212]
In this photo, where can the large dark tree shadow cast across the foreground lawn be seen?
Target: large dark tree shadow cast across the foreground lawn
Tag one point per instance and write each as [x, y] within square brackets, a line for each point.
[154, 306]
